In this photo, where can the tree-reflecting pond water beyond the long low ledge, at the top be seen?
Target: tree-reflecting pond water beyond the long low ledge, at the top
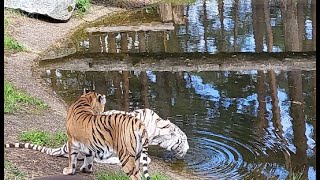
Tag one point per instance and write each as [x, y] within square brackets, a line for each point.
[219, 26]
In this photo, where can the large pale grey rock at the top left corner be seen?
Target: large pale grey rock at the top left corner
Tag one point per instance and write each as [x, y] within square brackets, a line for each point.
[56, 9]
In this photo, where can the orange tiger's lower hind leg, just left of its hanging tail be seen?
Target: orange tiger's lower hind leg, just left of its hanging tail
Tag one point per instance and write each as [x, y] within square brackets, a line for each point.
[129, 166]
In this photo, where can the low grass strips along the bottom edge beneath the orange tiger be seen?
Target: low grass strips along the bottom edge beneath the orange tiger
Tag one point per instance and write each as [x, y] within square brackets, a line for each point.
[122, 176]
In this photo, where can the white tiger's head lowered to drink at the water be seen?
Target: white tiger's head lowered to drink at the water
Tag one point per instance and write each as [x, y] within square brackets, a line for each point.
[171, 138]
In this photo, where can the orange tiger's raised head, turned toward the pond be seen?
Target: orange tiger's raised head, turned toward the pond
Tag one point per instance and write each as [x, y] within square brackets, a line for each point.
[96, 100]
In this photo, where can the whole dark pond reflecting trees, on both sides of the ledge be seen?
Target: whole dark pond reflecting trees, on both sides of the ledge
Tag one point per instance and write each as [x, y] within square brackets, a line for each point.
[241, 124]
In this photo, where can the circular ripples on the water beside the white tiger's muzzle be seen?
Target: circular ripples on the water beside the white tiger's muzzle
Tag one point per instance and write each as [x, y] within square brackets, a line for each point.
[216, 156]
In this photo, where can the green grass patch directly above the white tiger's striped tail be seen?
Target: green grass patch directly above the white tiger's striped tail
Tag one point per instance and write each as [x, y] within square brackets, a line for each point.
[43, 138]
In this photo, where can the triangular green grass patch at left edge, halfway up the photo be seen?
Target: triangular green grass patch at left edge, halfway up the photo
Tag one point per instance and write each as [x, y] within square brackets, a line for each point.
[15, 100]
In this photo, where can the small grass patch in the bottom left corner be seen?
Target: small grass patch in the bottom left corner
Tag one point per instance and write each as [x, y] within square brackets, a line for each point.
[12, 172]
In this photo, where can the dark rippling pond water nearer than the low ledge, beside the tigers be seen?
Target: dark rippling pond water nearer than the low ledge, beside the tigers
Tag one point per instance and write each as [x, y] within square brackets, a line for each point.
[241, 124]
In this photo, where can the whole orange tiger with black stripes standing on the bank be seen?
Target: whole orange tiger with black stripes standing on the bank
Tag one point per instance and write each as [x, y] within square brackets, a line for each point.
[99, 136]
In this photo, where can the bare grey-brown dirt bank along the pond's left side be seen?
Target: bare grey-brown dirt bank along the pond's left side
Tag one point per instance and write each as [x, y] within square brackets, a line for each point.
[38, 36]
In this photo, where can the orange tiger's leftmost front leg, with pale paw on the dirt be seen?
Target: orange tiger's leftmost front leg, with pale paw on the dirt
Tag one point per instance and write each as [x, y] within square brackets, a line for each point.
[73, 153]
